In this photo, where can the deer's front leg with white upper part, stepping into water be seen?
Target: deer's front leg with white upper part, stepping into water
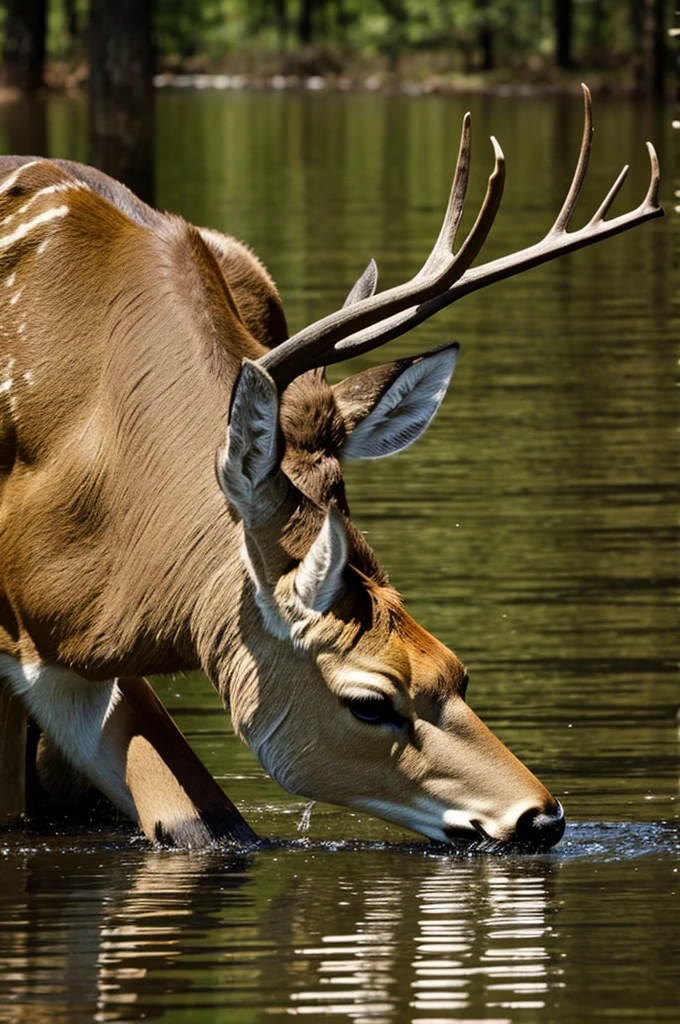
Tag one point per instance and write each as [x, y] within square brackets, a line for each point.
[120, 737]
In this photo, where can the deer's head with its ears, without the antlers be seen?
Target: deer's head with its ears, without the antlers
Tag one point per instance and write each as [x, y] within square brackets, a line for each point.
[350, 700]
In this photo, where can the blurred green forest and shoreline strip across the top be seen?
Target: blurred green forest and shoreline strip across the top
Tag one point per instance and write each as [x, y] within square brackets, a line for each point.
[623, 46]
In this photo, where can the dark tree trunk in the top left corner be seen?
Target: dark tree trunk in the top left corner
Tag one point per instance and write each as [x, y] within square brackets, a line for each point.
[24, 50]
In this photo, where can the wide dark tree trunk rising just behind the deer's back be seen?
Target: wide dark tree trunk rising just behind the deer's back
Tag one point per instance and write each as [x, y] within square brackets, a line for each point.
[122, 138]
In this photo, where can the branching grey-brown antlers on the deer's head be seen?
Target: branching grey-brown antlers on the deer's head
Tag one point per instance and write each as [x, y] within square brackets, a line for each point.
[368, 323]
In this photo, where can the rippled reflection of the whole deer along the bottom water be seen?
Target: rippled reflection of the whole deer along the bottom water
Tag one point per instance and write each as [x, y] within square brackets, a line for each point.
[122, 933]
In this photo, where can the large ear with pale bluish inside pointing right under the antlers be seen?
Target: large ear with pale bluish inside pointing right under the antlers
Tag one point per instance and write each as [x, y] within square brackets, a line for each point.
[389, 408]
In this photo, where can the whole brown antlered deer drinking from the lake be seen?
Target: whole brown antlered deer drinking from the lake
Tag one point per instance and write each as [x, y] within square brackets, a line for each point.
[173, 498]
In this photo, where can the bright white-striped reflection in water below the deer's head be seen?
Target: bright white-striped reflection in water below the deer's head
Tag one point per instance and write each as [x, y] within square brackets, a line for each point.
[419, 950]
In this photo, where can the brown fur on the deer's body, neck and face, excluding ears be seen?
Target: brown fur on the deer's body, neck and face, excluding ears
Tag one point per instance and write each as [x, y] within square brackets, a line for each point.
[123, 335]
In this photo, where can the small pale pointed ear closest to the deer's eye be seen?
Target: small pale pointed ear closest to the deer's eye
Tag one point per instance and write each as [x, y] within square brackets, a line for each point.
[320, 579]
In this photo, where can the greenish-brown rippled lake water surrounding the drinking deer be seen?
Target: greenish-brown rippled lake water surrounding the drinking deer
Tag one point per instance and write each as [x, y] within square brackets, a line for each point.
[534, 529]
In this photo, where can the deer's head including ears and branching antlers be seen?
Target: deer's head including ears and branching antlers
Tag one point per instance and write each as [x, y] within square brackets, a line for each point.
[371, 710]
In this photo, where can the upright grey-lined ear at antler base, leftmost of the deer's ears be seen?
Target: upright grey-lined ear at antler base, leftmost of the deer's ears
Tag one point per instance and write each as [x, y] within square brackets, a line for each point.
[248, 470]
